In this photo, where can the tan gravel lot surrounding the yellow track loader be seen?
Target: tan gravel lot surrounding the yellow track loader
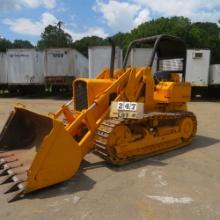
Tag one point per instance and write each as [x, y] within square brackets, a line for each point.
[182, 184]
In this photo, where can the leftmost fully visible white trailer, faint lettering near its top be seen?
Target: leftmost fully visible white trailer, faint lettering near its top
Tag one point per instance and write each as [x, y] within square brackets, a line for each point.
[25, 70]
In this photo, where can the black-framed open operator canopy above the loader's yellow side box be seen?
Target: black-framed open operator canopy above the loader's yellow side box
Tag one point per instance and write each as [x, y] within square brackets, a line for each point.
[167, 59]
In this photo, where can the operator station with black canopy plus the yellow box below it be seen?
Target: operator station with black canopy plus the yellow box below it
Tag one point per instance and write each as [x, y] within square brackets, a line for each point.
[168, 64]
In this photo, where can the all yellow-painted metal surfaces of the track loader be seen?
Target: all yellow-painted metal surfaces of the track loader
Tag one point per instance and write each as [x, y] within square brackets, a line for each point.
[61, 151]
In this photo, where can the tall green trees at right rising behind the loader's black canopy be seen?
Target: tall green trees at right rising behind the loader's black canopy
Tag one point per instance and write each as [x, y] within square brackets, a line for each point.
[203, 35]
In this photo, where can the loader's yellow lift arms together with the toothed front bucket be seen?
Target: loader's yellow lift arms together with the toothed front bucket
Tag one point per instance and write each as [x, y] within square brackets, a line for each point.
[38, 151]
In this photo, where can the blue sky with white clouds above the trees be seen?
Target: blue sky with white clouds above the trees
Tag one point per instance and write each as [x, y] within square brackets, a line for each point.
[26, 19]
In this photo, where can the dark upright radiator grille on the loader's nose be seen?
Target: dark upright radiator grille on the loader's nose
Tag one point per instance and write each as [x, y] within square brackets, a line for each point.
[81, 101]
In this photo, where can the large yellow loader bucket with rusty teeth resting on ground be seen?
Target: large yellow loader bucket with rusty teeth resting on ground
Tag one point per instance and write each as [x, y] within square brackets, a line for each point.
[35, 152]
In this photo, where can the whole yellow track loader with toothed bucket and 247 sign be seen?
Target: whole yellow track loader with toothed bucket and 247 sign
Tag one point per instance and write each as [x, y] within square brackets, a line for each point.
[122, 115]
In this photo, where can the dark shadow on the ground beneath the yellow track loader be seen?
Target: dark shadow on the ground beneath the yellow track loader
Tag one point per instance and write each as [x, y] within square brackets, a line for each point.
[81, 182]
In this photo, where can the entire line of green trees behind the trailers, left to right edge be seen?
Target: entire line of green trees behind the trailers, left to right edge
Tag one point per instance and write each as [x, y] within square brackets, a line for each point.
[201, 35]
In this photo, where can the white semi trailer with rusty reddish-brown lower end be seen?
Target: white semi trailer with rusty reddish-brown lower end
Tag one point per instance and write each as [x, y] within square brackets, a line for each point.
[62, 66]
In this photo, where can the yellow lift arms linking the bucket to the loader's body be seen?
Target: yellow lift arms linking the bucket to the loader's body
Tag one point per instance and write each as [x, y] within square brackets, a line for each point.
[89, 116]
